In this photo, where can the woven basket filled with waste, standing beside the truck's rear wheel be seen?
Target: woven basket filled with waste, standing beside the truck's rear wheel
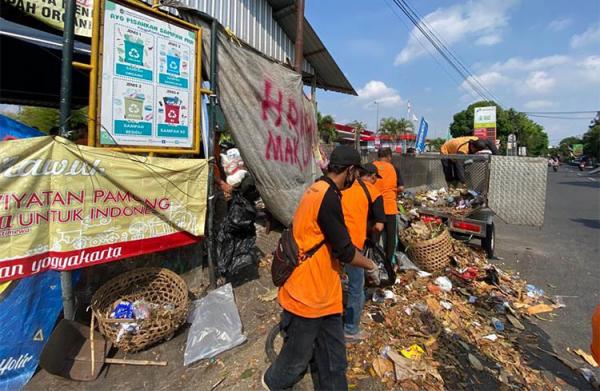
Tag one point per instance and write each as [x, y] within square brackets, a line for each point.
[431, 255]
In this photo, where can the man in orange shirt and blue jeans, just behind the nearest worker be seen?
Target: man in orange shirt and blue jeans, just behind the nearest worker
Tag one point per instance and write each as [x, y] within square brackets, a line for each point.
[362, 205]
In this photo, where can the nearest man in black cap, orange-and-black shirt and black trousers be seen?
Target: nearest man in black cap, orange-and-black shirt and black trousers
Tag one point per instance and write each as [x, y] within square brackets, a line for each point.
[312, 295]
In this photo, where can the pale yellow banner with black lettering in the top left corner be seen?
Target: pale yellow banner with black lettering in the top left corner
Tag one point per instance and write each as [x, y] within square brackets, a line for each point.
[52, 13]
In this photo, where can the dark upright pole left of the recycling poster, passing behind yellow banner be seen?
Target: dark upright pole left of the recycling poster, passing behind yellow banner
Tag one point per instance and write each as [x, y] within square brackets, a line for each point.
[65, 115]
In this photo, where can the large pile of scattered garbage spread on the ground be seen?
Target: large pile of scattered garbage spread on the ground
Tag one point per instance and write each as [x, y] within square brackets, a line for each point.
[461, 328]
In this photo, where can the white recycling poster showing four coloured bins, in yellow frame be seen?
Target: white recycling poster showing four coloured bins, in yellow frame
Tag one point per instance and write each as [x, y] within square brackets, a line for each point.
[148, 81]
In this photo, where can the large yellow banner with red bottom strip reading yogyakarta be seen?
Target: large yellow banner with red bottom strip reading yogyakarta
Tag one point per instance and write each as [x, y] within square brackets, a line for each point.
[64, 206]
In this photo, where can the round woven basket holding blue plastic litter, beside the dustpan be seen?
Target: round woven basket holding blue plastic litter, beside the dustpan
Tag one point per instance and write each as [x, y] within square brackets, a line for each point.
[161, 287]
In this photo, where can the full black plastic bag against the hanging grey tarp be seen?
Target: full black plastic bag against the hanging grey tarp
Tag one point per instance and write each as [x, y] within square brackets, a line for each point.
[236, 239]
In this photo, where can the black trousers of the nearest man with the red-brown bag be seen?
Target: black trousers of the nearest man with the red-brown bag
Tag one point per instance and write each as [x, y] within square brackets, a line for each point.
[316, 343]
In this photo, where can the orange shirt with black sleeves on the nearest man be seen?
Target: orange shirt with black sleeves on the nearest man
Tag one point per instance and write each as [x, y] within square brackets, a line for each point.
[314, 288]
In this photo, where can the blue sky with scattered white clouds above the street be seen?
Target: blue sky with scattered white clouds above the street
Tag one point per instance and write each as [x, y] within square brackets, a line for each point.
[533, 55]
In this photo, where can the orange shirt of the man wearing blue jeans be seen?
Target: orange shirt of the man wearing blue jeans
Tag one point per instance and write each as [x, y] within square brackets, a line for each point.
[355, 206]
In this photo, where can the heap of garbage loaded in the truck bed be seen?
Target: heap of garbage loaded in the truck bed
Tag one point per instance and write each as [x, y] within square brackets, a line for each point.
[457, 202]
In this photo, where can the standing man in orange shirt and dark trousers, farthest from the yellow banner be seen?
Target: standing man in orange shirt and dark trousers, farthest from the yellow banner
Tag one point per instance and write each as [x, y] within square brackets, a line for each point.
[390, 185]
